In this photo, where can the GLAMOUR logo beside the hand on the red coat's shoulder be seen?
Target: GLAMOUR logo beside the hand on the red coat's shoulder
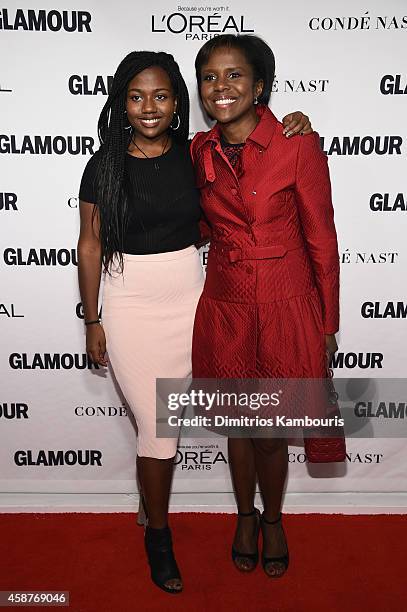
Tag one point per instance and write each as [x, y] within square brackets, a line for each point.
[362, 145]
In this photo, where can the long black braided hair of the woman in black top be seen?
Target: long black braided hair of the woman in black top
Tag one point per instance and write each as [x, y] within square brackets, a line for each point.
[115, 139]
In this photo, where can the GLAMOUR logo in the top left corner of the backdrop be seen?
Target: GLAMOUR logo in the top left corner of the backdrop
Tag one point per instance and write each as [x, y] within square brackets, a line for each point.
[41, 21]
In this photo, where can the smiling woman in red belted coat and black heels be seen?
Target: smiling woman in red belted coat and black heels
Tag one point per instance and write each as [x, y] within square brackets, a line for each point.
[270, 304]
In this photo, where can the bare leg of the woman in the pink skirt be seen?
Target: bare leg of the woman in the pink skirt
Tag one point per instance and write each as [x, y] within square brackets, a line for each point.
[155, 477]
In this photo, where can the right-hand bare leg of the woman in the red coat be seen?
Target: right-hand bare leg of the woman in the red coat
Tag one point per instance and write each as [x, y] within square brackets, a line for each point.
[271, 459]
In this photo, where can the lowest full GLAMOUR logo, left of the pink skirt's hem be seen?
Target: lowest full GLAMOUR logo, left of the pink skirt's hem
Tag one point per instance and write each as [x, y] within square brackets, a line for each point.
[58, 457]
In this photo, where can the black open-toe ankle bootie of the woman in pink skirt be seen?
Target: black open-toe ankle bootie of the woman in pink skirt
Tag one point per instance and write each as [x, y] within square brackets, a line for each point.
[161, 558]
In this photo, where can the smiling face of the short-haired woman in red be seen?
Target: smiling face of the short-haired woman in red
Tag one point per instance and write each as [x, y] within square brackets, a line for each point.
[227, 86]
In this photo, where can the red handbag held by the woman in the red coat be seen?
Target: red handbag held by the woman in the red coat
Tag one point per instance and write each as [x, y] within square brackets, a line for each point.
[323, 449]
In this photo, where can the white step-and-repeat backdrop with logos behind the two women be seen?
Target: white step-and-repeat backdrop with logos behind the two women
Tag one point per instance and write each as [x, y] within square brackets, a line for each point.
[63, 424]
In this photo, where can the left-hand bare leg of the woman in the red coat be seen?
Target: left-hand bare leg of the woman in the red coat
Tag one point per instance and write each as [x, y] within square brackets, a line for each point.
[242, 467]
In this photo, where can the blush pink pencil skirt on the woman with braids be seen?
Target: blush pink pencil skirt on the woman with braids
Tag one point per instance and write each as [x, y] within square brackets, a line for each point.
[148, 316]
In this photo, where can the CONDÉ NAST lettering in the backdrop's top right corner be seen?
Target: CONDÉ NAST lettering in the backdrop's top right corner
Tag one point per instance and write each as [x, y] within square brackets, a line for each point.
[363, 22]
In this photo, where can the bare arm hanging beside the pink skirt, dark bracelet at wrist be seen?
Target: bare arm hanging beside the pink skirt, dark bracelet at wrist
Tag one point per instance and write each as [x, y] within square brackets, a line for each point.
[89, 273]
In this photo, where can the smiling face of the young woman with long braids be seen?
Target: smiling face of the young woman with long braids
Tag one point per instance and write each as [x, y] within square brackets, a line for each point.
[150, 102]
